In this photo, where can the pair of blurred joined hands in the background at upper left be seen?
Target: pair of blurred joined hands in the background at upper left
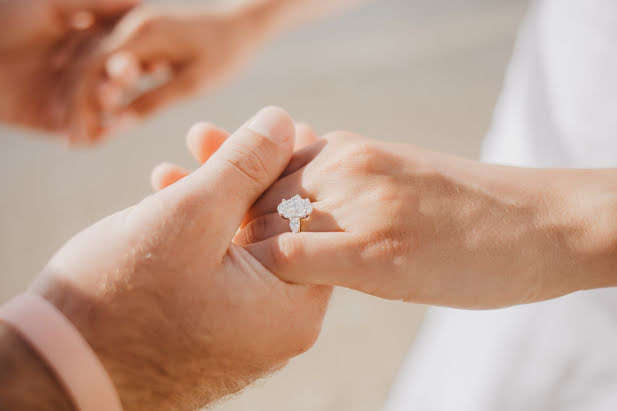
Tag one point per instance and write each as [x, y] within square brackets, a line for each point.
[84, 69]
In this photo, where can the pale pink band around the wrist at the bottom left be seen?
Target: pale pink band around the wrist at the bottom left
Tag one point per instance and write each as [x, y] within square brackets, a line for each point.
[66, 352]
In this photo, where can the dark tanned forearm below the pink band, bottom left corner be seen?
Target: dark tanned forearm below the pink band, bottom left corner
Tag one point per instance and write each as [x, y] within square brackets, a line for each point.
[25, 382]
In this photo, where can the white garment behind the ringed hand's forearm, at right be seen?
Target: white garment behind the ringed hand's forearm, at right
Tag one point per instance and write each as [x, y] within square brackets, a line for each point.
[558, 109]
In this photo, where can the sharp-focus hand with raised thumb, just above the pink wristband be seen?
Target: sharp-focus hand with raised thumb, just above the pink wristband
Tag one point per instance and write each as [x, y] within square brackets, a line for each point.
[177, 314]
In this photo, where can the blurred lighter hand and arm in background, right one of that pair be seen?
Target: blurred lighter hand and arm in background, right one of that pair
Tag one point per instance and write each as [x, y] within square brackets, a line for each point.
[183, 50]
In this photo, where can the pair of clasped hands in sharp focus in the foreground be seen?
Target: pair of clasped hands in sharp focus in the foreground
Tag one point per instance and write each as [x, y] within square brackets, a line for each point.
[200, 288]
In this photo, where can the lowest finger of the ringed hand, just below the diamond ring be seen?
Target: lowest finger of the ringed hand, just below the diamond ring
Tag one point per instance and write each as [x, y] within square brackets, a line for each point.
[308, 257]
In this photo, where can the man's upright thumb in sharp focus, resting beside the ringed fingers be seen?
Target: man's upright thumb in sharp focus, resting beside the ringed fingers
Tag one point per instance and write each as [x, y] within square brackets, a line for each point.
[245, 166]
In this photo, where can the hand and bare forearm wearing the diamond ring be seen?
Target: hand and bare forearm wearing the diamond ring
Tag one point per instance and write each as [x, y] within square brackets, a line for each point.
[404, 223]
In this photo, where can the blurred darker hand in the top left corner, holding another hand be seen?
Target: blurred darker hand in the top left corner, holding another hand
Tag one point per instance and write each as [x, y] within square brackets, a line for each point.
[48, 63]
